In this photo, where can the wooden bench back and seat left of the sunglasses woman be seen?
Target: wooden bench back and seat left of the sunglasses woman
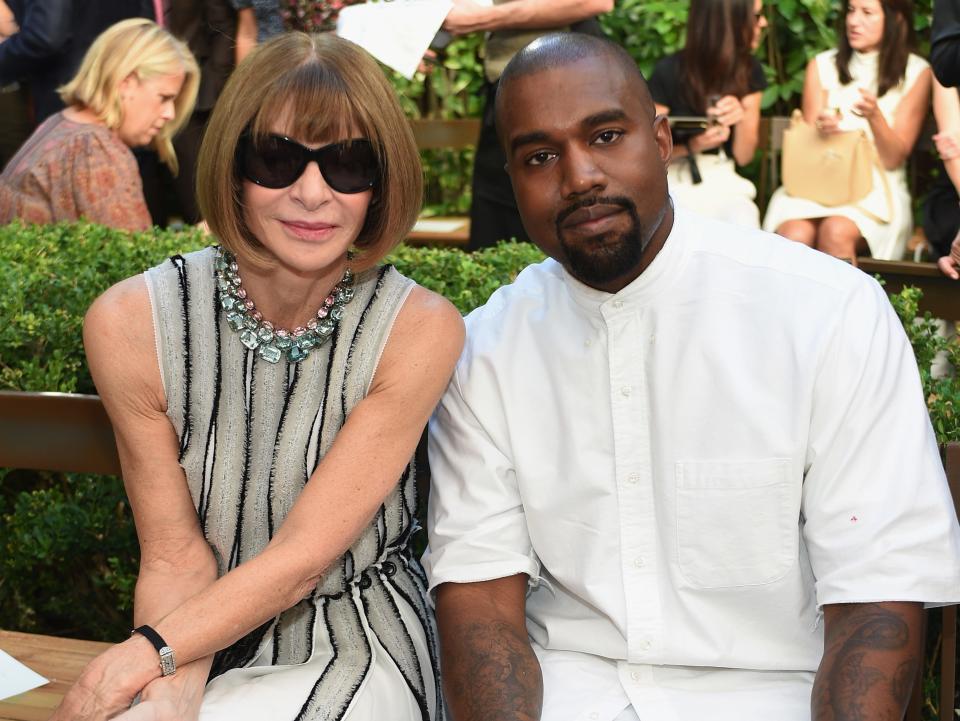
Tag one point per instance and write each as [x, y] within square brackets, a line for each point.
[52, 432]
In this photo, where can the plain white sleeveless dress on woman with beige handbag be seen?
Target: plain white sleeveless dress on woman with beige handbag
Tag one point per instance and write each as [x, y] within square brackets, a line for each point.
[886, 227]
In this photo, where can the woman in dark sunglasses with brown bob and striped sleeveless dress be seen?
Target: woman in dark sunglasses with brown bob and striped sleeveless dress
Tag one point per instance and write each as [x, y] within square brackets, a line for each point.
[268, 395]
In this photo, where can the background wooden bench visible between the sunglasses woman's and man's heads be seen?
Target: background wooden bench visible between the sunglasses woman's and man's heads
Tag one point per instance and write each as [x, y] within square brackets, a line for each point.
[432, 134]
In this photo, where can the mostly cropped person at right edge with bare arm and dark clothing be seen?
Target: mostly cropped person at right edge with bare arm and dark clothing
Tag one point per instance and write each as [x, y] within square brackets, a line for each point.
[941, 212]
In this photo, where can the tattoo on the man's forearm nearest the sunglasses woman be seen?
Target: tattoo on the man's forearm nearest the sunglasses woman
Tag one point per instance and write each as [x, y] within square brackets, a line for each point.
[492, 674]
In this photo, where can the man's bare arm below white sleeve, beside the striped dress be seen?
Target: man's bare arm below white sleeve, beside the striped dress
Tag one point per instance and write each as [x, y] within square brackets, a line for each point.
[488, 668]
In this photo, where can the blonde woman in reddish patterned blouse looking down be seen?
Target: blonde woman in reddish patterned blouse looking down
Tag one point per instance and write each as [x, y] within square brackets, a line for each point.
[135, 87]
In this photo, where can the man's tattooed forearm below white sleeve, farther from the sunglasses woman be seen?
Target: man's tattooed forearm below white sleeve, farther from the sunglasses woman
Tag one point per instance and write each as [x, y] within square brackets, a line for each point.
[872, 653]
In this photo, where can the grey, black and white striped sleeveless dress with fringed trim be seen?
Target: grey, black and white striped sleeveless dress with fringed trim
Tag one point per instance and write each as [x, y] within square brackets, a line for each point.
[363, 644]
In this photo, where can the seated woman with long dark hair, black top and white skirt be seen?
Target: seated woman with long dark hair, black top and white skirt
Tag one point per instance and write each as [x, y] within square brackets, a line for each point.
[715, 75]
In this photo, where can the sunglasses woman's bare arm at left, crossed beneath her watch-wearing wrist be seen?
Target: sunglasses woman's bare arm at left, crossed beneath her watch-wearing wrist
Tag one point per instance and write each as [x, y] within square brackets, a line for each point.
[175, 561]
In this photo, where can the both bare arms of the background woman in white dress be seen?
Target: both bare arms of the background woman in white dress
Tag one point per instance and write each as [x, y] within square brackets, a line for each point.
[894, 143]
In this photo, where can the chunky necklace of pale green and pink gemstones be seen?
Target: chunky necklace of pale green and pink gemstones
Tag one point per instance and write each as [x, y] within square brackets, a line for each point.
[271, 342]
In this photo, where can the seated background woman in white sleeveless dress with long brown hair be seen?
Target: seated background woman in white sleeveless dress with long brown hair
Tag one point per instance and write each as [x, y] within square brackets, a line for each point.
[871, 82]
